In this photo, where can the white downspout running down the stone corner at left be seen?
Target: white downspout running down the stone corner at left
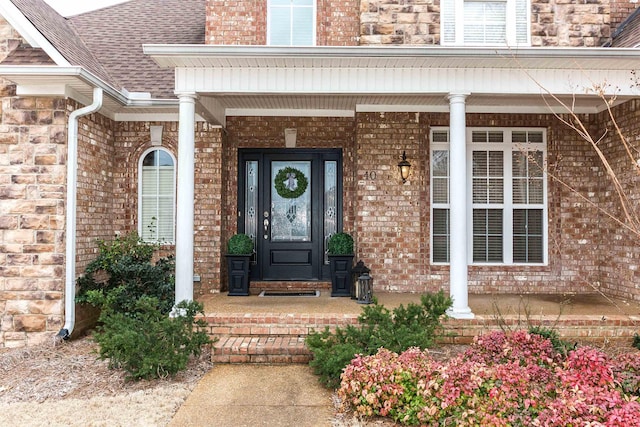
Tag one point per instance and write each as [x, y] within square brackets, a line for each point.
[70, 233]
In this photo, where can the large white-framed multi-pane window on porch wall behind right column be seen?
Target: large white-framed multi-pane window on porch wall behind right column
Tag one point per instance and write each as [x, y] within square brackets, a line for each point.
[507, 197]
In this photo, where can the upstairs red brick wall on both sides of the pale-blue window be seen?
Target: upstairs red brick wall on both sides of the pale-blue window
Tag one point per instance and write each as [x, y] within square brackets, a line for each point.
[245, 22]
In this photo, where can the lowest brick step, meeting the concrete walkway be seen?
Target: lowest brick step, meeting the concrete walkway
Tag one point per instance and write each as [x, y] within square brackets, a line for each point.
[260, 349]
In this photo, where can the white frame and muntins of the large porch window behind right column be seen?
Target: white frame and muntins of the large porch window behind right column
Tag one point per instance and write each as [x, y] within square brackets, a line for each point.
[508, 206]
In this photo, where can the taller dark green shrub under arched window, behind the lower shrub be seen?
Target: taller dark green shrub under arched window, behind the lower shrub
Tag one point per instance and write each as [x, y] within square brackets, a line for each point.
[125, 262]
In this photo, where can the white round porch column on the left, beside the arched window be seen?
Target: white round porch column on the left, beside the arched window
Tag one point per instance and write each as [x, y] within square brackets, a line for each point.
[185, 198]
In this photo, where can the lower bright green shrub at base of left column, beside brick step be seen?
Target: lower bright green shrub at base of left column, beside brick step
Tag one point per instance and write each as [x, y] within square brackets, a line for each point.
[145, 342]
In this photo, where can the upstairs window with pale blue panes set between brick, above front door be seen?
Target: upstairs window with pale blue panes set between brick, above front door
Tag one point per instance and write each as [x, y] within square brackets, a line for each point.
[291, 23]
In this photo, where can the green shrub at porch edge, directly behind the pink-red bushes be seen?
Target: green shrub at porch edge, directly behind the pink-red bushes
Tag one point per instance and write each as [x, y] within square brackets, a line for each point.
[417, 325]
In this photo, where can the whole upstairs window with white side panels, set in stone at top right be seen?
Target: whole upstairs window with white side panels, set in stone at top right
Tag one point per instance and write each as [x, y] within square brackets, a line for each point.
[485, 22]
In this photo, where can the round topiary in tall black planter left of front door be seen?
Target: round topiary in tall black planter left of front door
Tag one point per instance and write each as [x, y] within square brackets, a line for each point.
[239, 251]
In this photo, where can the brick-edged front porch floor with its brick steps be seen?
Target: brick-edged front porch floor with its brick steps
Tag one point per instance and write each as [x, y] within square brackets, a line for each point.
[257, 329]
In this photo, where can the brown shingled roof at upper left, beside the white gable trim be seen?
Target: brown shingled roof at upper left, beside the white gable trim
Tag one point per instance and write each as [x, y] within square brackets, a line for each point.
[108, 42]
